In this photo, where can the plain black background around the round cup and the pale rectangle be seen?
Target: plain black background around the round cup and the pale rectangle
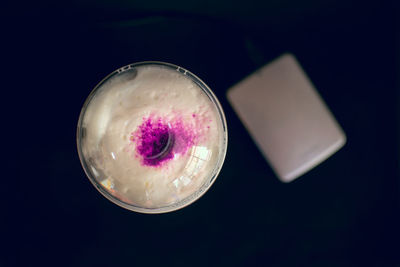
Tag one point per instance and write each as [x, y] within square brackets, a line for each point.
[345, 212]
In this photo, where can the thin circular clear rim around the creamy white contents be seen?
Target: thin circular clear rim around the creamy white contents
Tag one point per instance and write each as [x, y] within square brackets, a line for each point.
[208, 181]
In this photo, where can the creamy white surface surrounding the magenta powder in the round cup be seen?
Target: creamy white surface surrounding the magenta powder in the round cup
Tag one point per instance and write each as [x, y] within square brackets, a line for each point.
[119, 108]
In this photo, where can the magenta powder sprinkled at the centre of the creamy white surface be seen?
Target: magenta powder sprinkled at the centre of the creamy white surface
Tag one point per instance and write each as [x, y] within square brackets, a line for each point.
[157, 140]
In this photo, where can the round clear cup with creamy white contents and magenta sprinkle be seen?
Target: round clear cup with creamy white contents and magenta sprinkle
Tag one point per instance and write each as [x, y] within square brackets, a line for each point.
[152, 137]
